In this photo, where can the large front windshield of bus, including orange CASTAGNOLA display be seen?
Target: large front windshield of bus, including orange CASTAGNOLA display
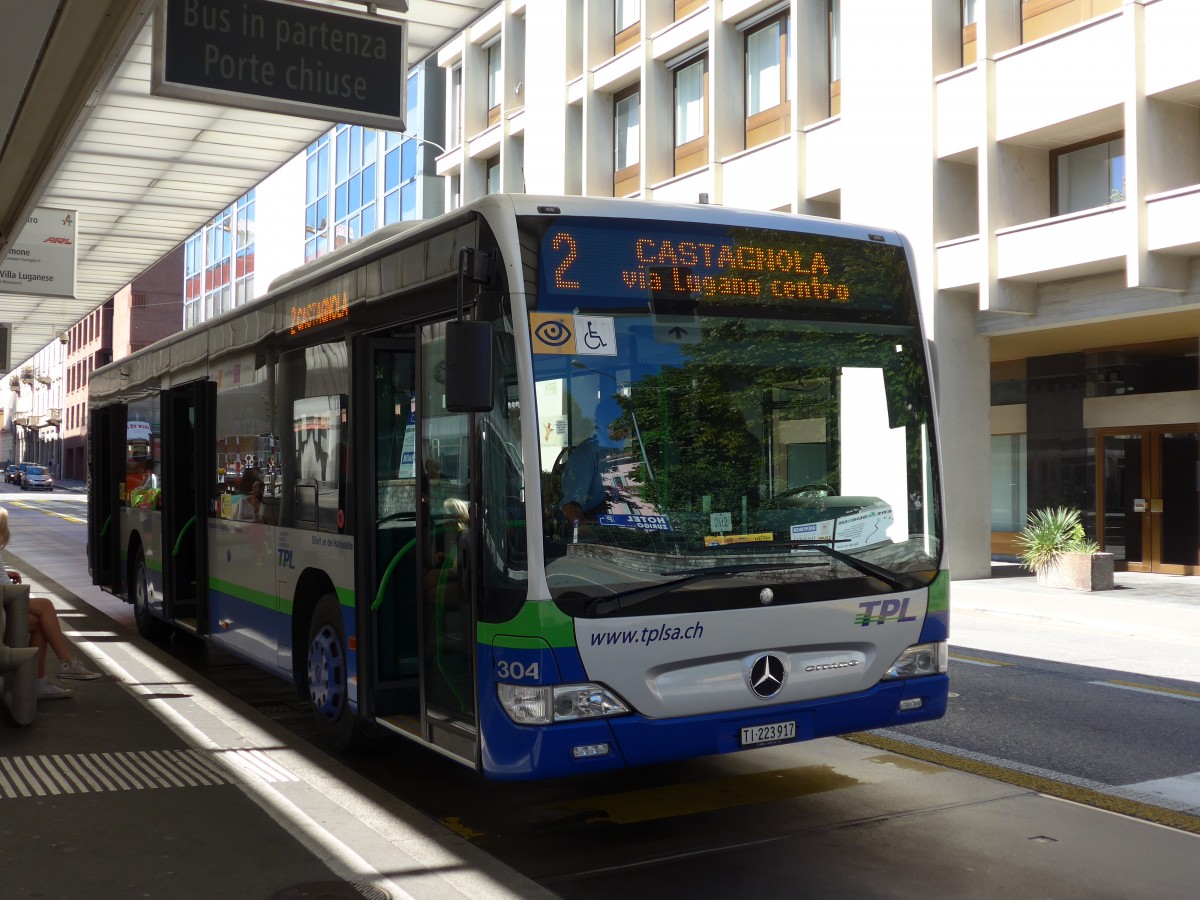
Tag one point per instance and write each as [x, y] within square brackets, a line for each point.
[729, 403]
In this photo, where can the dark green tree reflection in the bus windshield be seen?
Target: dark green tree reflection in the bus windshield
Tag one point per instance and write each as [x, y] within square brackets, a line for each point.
[707, 424]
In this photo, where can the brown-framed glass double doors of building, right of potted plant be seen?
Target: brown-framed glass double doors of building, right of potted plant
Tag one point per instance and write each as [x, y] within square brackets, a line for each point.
[1148, 490]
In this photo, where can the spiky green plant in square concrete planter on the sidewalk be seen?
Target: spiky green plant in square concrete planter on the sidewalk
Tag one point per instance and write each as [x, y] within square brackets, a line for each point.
[1055, 547]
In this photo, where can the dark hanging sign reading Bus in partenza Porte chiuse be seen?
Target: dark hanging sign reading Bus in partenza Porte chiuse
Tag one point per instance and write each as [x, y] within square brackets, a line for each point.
[284, 58]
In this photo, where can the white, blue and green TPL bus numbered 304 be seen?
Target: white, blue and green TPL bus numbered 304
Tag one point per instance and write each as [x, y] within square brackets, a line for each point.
[761, 556]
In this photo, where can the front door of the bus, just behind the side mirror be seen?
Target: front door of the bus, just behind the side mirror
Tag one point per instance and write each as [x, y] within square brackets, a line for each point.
[422, 608]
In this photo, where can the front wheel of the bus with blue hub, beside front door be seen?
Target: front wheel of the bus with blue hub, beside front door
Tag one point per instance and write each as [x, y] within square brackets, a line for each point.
[329, 676]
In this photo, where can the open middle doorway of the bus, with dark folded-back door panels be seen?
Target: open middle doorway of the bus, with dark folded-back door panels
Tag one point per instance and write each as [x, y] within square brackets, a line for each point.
[188, 430]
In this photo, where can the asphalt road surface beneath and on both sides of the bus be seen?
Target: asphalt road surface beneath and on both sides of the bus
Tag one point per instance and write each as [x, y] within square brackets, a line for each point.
[752, 823]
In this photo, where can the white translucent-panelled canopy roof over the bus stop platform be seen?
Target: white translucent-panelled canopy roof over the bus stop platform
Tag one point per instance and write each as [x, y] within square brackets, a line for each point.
[81, 131]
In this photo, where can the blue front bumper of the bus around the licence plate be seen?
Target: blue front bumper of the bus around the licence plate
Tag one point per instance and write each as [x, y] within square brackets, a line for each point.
[514, 752]
